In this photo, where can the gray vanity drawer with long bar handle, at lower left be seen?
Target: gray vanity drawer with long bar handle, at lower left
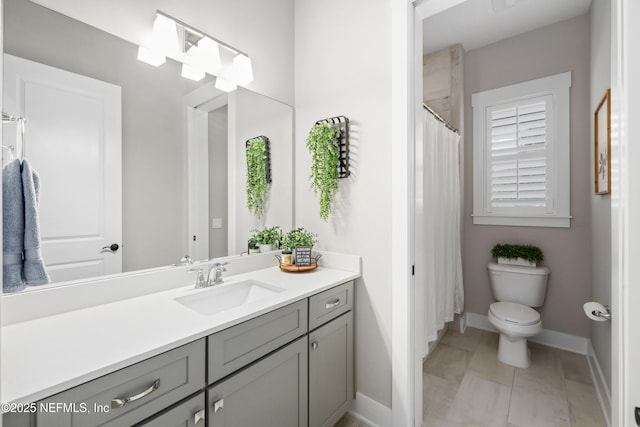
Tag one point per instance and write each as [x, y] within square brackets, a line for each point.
[129, 395]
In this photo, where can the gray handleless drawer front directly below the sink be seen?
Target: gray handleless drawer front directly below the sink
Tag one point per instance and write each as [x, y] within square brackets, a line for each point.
[236, 347]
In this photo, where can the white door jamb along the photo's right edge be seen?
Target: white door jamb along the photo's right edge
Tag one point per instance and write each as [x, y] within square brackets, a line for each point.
[625, 207]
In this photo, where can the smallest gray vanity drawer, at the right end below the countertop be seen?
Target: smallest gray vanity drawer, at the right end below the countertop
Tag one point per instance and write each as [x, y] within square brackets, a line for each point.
[330, 304]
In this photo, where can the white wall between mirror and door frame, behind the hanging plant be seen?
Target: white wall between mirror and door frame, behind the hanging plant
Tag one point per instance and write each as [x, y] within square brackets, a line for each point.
[343, 67]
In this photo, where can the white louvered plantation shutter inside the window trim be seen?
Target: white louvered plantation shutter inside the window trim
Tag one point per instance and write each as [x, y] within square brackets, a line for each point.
[518, 138]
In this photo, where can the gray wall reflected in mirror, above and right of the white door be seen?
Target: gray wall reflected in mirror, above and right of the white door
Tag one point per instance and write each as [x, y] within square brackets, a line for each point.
[153, 152]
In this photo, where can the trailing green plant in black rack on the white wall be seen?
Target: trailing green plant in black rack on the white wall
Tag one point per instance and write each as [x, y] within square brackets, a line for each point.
[323, 144]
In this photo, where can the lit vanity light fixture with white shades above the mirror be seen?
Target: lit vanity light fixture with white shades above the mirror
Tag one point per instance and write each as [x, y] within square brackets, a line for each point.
[198, 52]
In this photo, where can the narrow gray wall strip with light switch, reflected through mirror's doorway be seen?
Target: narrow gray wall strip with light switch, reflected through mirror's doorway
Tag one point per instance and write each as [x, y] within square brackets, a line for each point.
[218, 182]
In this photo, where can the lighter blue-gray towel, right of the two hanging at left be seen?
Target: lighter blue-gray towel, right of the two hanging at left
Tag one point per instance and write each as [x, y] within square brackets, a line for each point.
[34, 272]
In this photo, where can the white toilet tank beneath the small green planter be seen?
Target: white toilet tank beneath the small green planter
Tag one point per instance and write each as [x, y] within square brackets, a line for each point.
[523, 285]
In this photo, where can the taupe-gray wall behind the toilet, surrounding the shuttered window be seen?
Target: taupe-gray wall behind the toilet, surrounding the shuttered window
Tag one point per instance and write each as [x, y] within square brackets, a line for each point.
[551, 50]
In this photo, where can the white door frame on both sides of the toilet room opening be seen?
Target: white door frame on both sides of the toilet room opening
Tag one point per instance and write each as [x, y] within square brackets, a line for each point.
[406, 31]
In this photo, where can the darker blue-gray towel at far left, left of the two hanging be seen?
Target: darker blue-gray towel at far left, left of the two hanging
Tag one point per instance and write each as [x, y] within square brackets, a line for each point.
[13, 227]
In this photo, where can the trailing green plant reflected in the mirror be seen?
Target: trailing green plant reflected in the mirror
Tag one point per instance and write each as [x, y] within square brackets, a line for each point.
[256, 175]
